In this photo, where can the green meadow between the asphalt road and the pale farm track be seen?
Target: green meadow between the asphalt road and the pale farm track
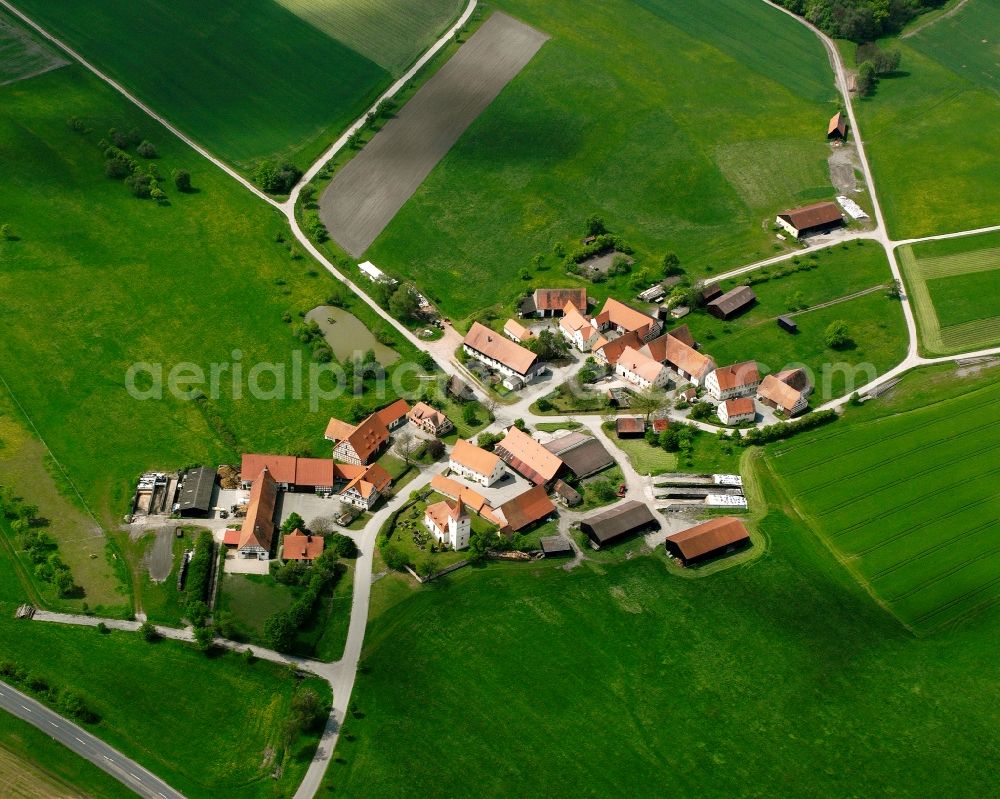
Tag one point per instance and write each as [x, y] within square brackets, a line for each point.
[153, 700]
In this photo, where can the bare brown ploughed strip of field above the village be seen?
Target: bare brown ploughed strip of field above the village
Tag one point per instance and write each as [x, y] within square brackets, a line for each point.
[368, 192]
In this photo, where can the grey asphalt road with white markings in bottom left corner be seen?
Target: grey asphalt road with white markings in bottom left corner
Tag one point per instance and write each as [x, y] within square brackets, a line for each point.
[75, 738]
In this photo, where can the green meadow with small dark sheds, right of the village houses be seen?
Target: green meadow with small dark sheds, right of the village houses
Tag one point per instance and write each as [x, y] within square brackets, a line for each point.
[875, 322]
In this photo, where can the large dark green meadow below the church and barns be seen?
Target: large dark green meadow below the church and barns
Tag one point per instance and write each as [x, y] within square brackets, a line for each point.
[620, 678]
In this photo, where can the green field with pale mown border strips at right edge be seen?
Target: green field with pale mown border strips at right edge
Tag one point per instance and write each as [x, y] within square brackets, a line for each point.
[955, 289]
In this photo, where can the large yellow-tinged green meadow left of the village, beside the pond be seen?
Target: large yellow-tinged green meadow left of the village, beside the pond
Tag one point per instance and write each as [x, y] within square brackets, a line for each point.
[97, 280]
